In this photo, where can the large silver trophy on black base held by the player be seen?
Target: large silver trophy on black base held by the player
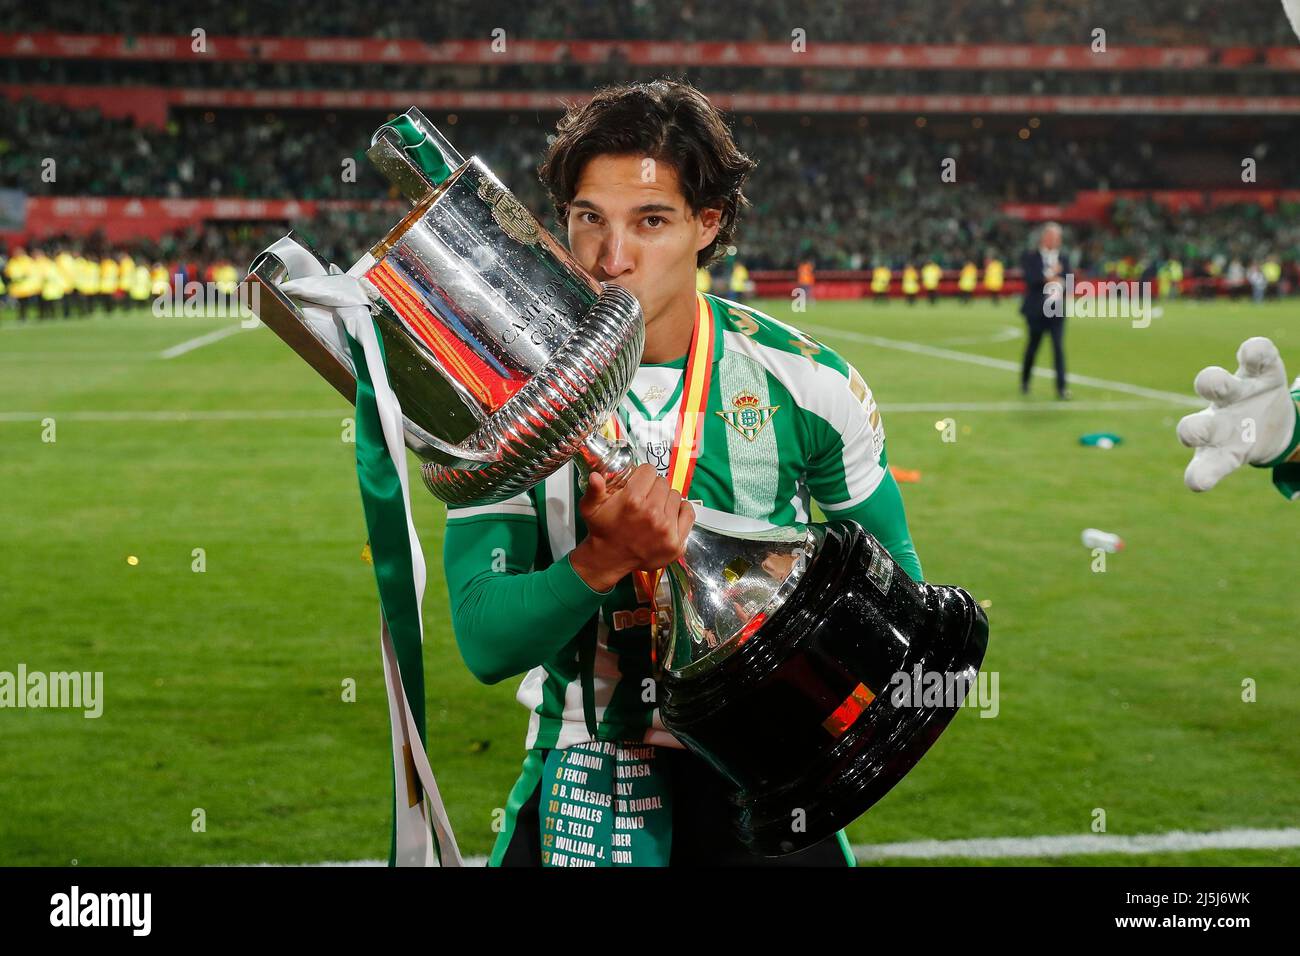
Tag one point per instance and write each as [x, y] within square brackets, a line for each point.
[509, 358]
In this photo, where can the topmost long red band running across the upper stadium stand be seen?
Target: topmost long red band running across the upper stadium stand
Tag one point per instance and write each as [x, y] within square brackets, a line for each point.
[505, 49]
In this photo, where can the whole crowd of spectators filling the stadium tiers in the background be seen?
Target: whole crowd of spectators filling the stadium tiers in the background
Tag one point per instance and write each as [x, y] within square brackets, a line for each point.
[833, 192]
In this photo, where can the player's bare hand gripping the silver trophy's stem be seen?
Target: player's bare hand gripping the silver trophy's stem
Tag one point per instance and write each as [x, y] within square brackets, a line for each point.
[640, 527]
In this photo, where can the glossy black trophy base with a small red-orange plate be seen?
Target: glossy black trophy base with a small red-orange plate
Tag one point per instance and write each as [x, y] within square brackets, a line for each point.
[808, 719]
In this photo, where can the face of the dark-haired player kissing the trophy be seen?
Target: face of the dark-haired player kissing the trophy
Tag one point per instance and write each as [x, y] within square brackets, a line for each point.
[630, 224]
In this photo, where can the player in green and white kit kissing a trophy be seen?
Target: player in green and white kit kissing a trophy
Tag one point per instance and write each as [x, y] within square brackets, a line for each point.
[649, 184]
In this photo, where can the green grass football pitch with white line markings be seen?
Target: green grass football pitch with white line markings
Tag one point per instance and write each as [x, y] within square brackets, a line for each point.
[1120, 691]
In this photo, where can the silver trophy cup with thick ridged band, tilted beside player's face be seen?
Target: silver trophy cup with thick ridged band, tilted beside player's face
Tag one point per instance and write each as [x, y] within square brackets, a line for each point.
[506, 354]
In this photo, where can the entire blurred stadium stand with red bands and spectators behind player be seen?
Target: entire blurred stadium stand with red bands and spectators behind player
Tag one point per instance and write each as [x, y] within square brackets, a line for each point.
[1139, 188]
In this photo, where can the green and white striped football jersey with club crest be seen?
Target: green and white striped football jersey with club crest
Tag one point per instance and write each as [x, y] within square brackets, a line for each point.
[788, 423]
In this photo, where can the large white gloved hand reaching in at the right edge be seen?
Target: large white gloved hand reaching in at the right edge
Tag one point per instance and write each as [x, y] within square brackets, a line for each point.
[1251, 417]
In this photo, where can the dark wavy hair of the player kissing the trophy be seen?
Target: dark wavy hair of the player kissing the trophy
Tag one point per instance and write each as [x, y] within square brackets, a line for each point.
[668, 122]
